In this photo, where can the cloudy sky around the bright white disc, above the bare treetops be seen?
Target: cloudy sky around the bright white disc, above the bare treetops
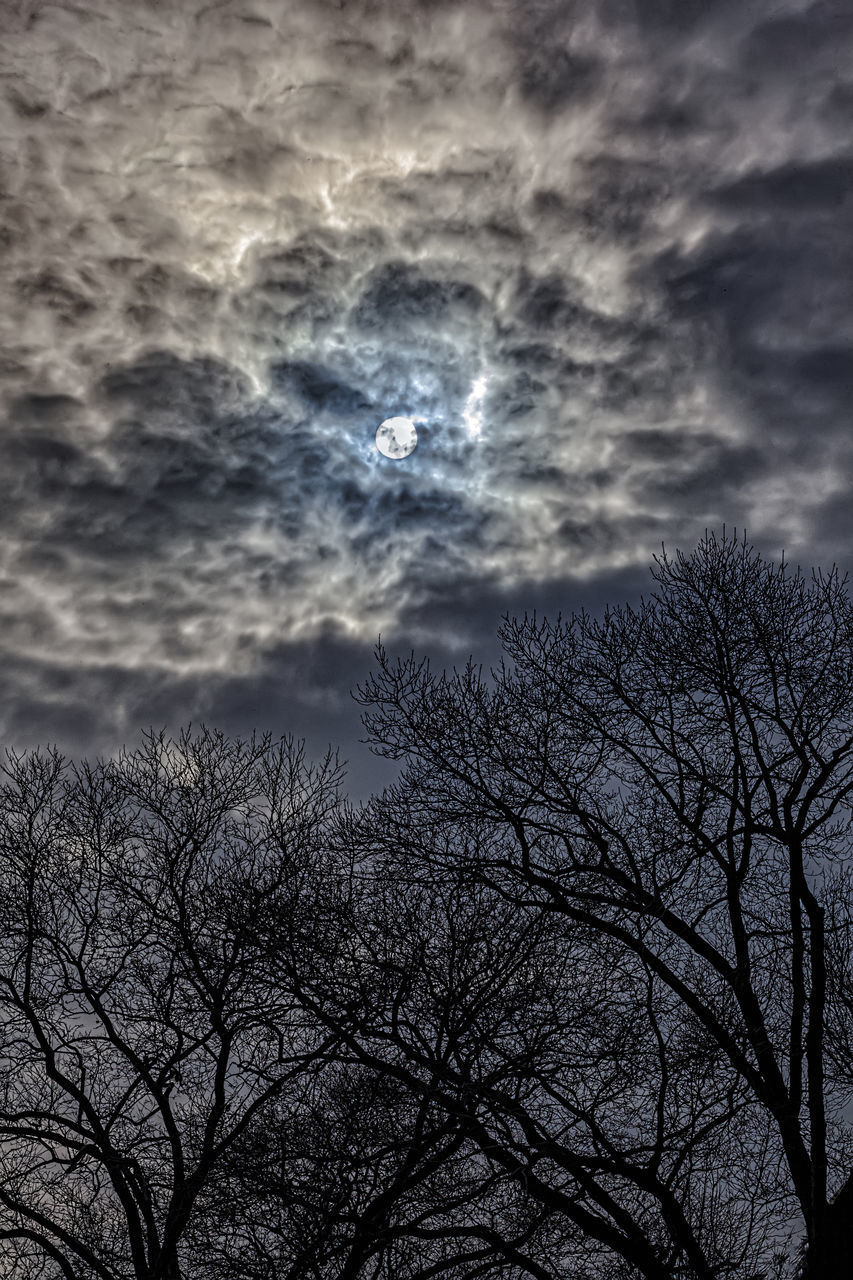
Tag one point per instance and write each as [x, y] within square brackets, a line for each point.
[601, 253]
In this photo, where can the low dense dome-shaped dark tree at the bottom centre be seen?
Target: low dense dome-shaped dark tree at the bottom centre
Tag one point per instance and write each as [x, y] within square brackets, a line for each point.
[364, 1180]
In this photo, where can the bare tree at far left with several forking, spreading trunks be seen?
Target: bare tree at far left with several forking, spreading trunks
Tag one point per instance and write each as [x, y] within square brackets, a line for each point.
[139, 1035]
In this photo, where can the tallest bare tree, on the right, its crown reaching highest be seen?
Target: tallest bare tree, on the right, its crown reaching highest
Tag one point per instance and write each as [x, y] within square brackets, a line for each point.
[673, 783]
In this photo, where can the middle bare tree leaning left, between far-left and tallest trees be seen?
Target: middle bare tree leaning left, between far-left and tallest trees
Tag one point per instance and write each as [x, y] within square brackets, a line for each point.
[562, 1060]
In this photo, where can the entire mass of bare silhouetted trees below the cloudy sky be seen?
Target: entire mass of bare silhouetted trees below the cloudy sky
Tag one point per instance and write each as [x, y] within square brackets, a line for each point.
[573, 998]
